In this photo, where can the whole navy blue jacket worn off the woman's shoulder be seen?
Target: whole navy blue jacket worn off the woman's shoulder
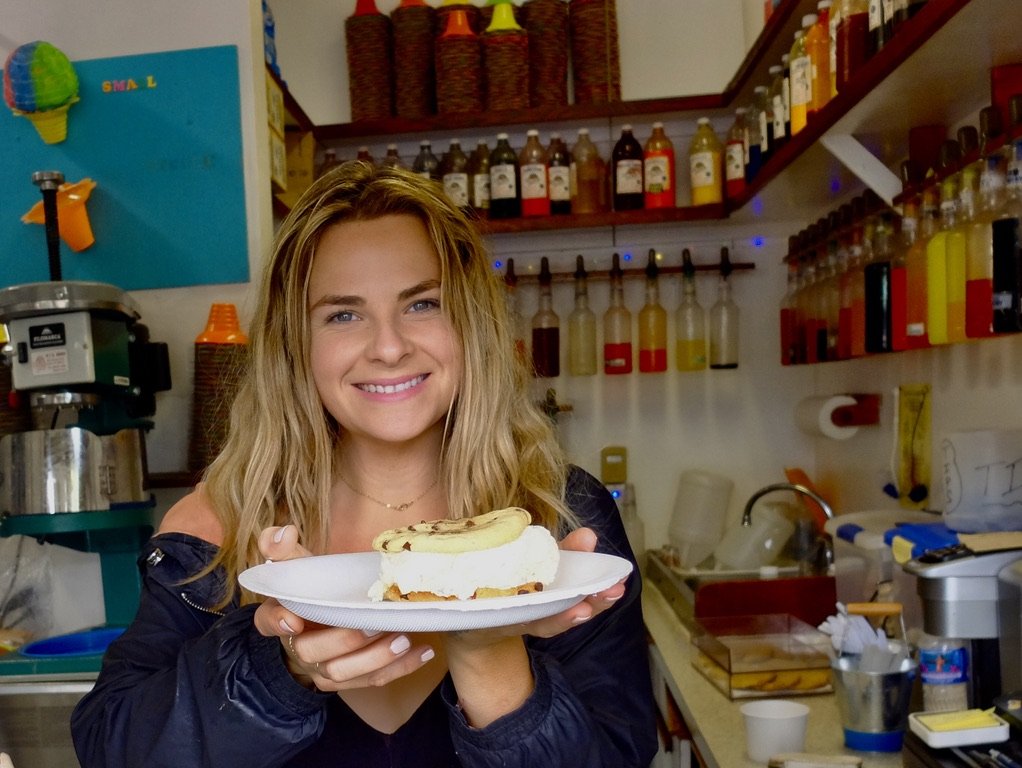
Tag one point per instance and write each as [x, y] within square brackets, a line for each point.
[188, 688]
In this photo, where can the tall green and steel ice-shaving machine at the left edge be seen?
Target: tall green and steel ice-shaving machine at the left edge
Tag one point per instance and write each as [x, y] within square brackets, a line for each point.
[78, 478]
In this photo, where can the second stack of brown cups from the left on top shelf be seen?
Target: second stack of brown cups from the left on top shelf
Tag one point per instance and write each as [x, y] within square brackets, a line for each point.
[413, 61]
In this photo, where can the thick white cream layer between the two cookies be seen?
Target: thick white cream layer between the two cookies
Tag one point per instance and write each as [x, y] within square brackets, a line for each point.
[531, 558]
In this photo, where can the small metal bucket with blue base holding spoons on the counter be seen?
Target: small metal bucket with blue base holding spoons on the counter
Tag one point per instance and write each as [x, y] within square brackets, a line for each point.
[874, 706]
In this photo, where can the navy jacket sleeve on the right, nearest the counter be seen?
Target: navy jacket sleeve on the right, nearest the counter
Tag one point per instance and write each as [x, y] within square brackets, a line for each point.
[593, 702]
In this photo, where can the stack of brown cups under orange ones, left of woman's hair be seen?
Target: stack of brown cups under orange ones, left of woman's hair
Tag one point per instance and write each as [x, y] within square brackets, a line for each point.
[218, 373]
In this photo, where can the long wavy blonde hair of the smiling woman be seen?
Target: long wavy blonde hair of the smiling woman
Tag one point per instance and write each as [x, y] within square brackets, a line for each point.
[276, 467]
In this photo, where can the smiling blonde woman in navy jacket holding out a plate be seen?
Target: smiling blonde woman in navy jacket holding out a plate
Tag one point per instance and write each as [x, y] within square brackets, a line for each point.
[383, 389]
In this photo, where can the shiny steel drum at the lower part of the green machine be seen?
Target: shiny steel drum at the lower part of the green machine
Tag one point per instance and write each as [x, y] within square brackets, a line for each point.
[52, 472]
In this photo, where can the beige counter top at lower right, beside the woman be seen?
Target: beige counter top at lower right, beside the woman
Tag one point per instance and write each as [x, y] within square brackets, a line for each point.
[714, 719]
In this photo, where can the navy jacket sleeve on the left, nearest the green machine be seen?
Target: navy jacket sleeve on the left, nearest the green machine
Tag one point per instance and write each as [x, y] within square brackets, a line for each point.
[185, 687]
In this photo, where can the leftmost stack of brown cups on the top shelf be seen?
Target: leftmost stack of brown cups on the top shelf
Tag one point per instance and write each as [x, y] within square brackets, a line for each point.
[370, 67]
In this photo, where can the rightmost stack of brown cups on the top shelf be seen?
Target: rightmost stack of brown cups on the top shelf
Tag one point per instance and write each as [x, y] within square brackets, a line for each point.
[595, 55]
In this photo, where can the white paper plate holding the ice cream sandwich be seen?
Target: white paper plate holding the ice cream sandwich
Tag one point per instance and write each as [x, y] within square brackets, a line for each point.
[333, 590]
